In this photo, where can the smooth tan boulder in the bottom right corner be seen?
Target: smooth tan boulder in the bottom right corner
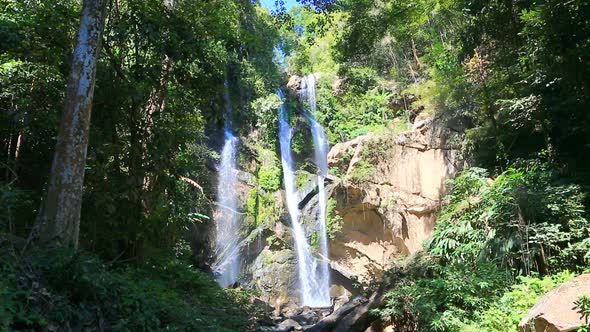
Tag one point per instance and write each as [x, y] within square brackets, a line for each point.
[556, 312]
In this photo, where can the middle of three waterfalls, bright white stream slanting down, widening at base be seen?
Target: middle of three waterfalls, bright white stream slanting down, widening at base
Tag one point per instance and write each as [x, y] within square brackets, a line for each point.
[312, 293]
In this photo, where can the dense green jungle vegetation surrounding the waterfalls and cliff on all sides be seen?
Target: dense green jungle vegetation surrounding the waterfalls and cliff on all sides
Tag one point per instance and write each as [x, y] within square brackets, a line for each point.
[126, 249]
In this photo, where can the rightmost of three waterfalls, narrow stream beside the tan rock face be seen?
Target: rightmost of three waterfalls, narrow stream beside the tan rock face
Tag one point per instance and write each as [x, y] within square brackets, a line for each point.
[321, 148]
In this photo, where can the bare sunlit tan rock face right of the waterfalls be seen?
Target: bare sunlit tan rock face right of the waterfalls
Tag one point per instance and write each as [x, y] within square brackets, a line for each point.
[390, 193]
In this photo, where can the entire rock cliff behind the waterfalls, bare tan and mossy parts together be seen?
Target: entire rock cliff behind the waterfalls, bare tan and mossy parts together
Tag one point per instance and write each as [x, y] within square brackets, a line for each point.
[386, 190]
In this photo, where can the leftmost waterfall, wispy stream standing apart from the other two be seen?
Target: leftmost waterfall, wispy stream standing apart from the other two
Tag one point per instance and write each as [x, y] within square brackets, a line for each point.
[227, 220]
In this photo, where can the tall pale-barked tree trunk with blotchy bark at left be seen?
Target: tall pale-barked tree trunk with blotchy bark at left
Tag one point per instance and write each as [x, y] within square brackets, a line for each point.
[58, 222]
